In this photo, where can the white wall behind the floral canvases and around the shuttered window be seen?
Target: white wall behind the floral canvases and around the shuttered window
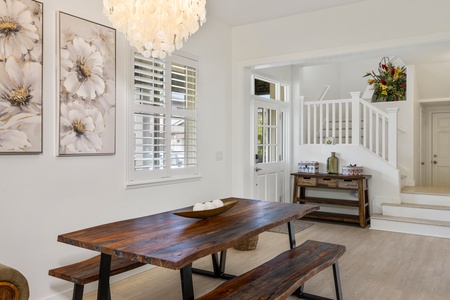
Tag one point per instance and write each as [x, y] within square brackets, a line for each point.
[42, 196]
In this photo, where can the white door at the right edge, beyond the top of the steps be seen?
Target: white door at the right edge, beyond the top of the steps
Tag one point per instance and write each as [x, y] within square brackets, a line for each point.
[441, 149]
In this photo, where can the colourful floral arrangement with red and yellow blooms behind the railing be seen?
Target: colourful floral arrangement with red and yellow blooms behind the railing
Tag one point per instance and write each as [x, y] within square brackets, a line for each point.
[390, 82]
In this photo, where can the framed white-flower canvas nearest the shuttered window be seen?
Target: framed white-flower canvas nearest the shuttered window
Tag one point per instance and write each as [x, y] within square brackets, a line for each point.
[87, 96]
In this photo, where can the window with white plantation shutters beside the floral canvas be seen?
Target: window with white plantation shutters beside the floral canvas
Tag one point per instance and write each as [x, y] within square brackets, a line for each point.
[163, 143]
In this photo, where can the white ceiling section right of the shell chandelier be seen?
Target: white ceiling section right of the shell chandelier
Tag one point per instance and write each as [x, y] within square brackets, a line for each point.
[242, 12]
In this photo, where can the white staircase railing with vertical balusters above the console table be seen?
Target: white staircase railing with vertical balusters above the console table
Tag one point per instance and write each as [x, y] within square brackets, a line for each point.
[351, 121]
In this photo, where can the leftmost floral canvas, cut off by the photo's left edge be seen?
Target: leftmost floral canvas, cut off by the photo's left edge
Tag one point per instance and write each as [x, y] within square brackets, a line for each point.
[20, 76]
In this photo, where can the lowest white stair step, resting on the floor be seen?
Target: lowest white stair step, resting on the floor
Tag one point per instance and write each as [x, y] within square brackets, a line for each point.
[410, 225]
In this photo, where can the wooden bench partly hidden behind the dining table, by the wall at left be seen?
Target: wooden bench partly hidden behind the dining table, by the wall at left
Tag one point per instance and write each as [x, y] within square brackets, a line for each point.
[87, 271]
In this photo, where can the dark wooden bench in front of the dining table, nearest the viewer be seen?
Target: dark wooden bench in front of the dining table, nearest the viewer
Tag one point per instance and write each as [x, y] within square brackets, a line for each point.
[283, 275]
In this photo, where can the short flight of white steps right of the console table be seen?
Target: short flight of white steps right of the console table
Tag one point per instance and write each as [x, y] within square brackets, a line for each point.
[419, 213]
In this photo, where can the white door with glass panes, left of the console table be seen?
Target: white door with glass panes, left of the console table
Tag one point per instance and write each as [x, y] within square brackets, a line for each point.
[269, 150]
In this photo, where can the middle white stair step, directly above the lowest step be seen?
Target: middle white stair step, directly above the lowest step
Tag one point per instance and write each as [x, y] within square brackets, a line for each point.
[417, 211]
